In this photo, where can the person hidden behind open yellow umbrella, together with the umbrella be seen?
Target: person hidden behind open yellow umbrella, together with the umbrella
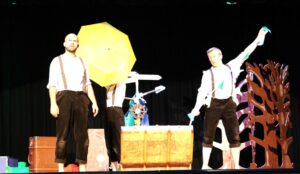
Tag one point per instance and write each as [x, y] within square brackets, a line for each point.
[110, 58]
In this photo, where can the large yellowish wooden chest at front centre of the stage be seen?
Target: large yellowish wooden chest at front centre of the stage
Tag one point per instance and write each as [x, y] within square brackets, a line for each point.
[156, 147]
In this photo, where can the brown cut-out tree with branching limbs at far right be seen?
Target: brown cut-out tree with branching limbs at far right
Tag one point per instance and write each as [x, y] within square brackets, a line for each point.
[268, 96]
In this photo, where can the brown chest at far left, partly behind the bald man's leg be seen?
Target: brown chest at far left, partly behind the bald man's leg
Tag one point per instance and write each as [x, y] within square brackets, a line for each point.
[42, 154]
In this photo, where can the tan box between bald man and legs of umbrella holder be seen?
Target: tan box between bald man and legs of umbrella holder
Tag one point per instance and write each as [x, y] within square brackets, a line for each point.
[97, 153]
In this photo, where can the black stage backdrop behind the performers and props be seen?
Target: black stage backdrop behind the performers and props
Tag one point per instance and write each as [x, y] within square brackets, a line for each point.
[169, 38]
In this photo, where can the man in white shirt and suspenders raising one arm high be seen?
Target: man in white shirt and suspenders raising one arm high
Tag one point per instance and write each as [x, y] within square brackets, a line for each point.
[217, 92]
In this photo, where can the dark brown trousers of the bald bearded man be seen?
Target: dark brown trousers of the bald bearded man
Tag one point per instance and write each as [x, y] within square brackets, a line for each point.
[73, 116]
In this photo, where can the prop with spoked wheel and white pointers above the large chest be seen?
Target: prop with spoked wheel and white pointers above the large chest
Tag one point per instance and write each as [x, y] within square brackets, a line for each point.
[137, 113]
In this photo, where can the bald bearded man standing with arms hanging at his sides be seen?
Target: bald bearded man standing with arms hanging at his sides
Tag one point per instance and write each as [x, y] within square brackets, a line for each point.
[71, 92]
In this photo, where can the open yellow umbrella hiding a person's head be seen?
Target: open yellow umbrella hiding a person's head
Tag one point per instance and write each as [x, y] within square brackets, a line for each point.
[107, 51]
